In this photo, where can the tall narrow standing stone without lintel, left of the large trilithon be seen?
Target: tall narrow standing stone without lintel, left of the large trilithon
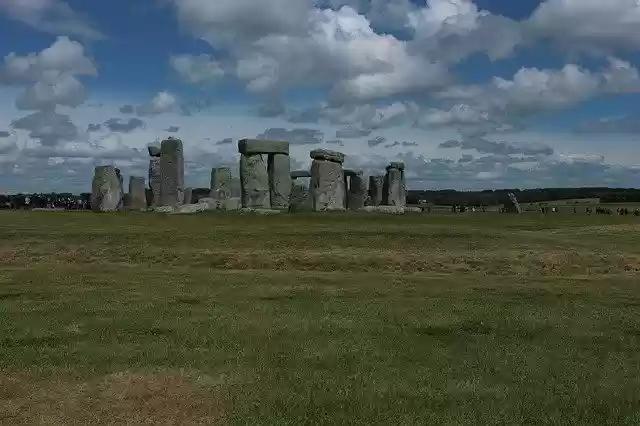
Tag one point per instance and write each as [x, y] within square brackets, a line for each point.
[172, 172]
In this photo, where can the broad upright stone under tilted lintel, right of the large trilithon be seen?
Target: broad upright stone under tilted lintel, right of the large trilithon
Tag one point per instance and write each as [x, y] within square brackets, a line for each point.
[327, 186]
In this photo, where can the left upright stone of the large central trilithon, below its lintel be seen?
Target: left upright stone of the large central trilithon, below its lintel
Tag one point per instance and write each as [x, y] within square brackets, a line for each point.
[254, 182]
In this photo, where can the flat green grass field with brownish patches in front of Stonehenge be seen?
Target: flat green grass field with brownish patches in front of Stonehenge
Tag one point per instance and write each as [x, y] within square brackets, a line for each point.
[327, 319]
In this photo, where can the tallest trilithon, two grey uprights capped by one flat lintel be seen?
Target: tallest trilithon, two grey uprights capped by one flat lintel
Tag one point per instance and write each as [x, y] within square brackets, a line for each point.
[264, 184]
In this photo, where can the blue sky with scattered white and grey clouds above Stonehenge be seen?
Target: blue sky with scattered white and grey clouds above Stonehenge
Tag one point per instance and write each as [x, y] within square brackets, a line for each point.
[482, 94]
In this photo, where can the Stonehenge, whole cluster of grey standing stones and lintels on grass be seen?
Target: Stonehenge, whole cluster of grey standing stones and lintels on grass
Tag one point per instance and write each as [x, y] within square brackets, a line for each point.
[266, 183]
